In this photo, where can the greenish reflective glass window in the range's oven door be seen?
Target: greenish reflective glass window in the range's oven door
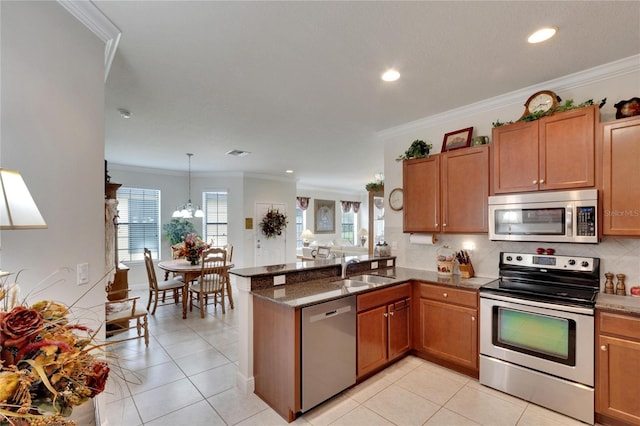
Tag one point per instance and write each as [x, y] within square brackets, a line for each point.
[541, 336]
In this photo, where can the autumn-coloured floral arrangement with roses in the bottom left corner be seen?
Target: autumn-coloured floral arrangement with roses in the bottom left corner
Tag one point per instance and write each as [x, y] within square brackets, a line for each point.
[47, 364]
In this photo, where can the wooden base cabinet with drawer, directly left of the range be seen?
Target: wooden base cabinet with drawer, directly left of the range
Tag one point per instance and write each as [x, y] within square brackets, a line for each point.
[446, 327]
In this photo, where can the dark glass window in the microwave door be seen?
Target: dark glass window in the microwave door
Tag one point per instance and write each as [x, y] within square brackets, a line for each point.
[530, 221]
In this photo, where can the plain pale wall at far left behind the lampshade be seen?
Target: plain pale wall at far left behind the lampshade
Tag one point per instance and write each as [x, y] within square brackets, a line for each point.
[53, 133]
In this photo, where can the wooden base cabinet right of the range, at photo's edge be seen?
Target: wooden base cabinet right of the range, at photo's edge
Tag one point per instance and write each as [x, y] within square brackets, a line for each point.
[617, 374]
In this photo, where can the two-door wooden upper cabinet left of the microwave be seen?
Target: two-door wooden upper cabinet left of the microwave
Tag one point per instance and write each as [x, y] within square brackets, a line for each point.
[447, 192]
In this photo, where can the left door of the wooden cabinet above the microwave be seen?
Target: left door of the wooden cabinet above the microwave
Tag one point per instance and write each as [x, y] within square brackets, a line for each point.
[515, 157]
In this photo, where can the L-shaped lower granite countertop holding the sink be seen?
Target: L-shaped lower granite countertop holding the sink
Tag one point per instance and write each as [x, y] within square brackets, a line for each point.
[322, 290]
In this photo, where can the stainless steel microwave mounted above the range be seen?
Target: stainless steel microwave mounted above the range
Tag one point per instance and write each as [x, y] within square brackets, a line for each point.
[555, 217]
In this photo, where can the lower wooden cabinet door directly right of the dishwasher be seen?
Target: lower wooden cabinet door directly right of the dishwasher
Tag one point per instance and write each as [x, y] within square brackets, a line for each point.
[372, 339]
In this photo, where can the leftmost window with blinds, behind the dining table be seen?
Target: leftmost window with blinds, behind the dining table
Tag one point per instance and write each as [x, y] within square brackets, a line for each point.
[138, 223]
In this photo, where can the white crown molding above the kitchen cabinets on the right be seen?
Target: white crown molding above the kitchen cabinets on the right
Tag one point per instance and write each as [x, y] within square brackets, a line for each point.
[568, 82]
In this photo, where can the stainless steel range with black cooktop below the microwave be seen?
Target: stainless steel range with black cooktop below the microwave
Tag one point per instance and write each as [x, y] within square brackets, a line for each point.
[537, 331]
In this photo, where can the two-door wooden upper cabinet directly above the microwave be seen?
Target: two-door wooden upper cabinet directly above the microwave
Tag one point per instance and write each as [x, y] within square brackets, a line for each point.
[554, 152]
